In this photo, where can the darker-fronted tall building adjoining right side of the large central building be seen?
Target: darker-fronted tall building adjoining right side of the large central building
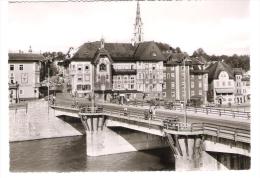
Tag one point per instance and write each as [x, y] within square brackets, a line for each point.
[182, 73]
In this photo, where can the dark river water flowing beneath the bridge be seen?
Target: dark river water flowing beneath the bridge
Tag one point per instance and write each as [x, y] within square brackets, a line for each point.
[69, 154]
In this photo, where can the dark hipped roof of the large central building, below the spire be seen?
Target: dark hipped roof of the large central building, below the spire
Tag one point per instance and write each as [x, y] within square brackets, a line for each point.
[120, 51]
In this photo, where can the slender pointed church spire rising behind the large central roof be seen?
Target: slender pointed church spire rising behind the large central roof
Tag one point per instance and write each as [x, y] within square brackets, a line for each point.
[138, 26]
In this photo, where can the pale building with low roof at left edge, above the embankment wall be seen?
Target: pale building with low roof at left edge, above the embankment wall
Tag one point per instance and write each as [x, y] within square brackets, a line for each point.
[24, 76]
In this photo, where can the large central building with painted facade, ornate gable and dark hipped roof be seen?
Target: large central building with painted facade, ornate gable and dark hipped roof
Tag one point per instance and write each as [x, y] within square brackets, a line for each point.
[118, 68]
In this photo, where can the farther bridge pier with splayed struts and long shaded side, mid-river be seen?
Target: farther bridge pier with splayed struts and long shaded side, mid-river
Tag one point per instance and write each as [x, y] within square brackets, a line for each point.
[101, 140]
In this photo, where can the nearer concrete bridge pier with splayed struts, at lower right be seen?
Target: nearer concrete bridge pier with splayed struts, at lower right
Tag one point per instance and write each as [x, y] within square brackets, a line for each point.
[190, 154]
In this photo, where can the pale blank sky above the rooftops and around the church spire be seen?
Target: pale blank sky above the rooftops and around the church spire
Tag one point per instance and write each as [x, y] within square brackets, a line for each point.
[217, 26]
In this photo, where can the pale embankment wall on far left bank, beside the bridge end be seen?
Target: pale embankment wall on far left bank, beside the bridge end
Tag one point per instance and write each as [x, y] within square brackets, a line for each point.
[37, 123]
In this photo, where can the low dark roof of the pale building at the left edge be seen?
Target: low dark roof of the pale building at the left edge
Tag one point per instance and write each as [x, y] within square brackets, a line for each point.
[25, 57]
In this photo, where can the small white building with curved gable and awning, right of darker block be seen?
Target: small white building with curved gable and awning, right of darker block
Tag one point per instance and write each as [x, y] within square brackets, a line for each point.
[221, 83]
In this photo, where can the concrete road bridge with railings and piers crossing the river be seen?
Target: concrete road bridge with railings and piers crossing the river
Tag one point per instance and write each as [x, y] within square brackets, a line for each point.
[206, 142]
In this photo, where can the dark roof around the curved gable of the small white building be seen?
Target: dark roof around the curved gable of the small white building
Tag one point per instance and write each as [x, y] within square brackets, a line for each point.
[215, 68]
